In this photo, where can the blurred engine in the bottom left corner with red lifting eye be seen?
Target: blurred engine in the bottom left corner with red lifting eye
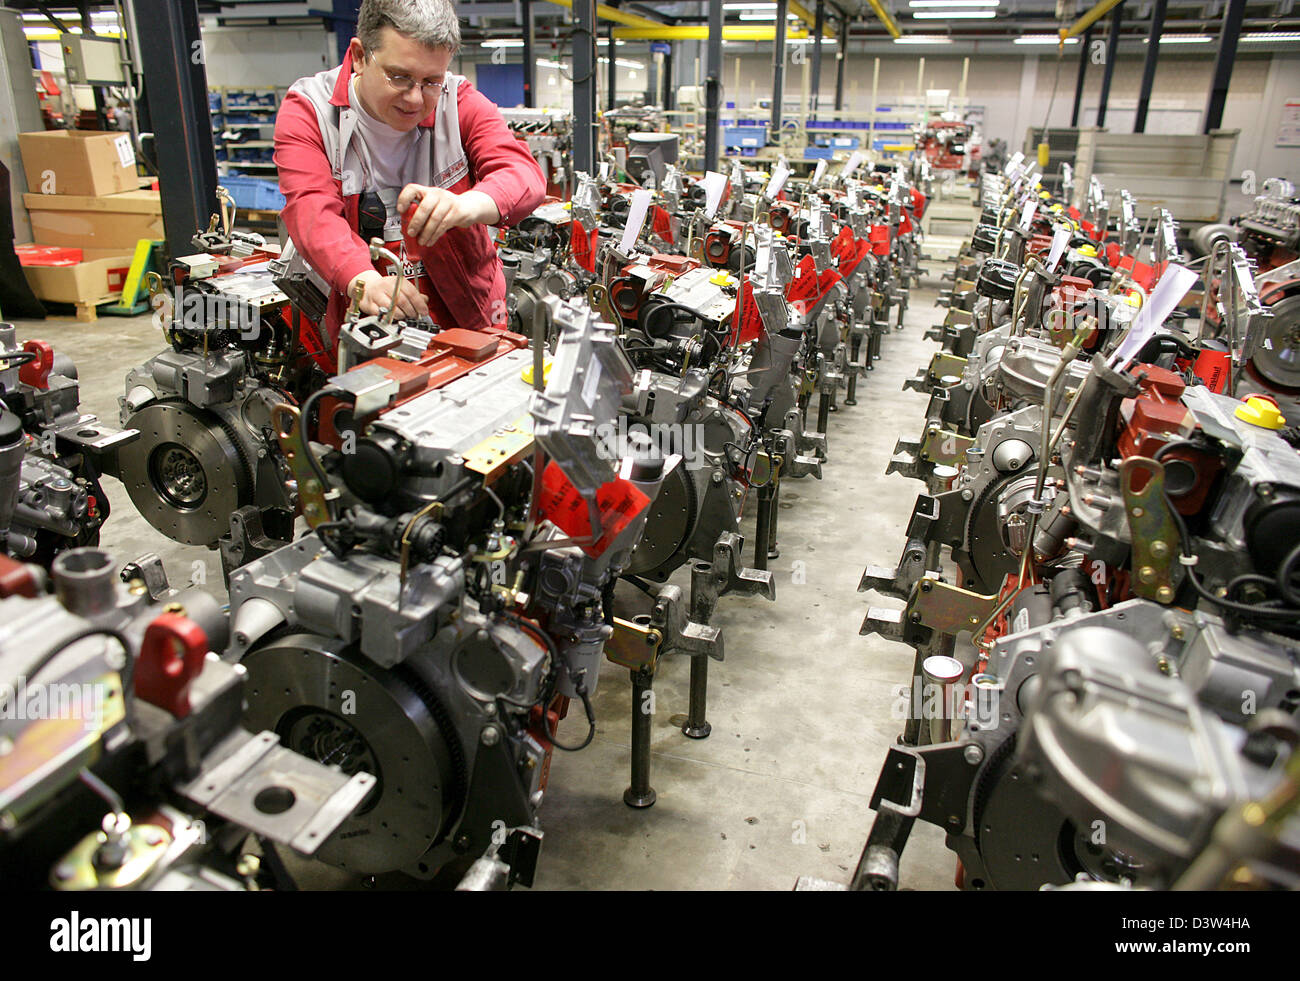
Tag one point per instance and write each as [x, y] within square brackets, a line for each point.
[123, 761]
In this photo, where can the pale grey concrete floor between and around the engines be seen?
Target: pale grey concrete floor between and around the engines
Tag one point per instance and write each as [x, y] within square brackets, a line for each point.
[801, 710]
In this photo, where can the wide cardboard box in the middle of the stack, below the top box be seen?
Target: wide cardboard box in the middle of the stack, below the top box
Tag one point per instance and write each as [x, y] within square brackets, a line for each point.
[114, 222]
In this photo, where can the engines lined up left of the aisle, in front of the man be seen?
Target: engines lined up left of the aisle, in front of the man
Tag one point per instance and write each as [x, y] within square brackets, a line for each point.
[421, 528]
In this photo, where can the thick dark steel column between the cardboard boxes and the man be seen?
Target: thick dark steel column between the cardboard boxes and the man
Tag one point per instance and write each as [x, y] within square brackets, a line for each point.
[176, 89]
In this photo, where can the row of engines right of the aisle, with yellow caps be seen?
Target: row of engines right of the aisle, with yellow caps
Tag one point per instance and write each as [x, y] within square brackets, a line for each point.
[1102, 578]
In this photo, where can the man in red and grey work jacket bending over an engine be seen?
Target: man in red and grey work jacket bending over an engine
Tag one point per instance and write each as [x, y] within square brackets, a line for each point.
[393, 128]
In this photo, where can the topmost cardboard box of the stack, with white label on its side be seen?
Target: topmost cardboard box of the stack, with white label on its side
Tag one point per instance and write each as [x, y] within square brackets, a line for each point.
[79, 162]
